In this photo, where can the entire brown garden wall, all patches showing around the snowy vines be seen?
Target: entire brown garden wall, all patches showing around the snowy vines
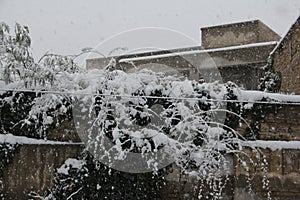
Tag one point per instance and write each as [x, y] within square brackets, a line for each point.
[33, 166]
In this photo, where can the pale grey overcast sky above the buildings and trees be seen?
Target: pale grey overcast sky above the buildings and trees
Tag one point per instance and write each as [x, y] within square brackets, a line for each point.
[65, 26]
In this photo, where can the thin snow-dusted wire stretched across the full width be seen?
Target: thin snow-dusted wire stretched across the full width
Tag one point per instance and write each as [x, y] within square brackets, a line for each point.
[153, 97]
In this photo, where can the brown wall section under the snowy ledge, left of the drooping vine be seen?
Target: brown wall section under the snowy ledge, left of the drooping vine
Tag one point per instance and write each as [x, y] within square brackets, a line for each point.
[33, 168]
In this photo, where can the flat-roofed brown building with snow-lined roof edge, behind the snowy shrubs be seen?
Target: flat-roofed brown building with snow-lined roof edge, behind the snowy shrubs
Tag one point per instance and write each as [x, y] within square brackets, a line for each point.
[235, 52]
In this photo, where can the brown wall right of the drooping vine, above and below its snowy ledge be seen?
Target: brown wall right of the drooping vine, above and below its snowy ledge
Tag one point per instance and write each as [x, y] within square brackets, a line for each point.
[283, 164]
